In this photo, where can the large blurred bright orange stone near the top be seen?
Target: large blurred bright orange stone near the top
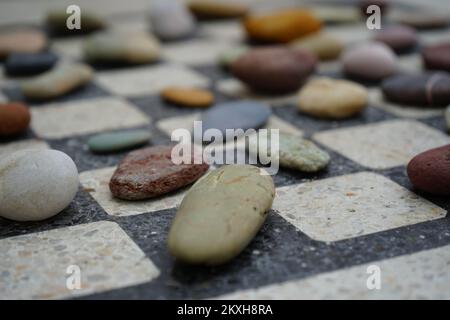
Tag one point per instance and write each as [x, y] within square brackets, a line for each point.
[281, 26]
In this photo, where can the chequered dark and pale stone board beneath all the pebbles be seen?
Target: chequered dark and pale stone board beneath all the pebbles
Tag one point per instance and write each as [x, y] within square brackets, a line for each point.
[324, 229]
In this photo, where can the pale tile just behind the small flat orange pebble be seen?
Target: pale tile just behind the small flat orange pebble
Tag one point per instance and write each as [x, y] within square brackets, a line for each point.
[149, 80]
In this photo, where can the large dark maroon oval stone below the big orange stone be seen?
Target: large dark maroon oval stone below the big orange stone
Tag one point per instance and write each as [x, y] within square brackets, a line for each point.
[274, 69]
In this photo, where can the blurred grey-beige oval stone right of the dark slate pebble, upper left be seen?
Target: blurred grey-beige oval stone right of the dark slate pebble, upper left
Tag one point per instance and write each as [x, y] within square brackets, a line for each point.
[134, 48]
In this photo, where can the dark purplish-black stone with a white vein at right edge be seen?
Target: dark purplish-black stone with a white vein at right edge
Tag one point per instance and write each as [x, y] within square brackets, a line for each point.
[430, 89]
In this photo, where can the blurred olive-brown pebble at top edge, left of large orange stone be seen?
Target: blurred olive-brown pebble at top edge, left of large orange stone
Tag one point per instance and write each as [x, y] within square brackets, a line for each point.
[217, 9]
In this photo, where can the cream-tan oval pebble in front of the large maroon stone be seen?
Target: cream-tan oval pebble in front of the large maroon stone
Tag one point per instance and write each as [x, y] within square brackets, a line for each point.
[332, 98]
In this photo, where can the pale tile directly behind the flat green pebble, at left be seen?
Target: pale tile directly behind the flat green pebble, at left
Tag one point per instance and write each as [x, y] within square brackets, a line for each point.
[60, 120]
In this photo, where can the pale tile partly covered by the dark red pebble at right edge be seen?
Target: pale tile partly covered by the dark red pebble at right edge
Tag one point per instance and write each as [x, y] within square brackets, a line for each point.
[384, 144]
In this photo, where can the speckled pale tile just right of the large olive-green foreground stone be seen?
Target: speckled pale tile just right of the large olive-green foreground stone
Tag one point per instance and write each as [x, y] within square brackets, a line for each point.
[352, 205]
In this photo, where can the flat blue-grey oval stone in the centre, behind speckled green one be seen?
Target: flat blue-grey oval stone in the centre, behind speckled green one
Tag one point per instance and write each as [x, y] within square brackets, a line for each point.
[235, 115]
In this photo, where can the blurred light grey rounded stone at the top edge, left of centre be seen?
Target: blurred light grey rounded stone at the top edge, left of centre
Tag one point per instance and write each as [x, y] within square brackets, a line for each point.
[171, 19]
